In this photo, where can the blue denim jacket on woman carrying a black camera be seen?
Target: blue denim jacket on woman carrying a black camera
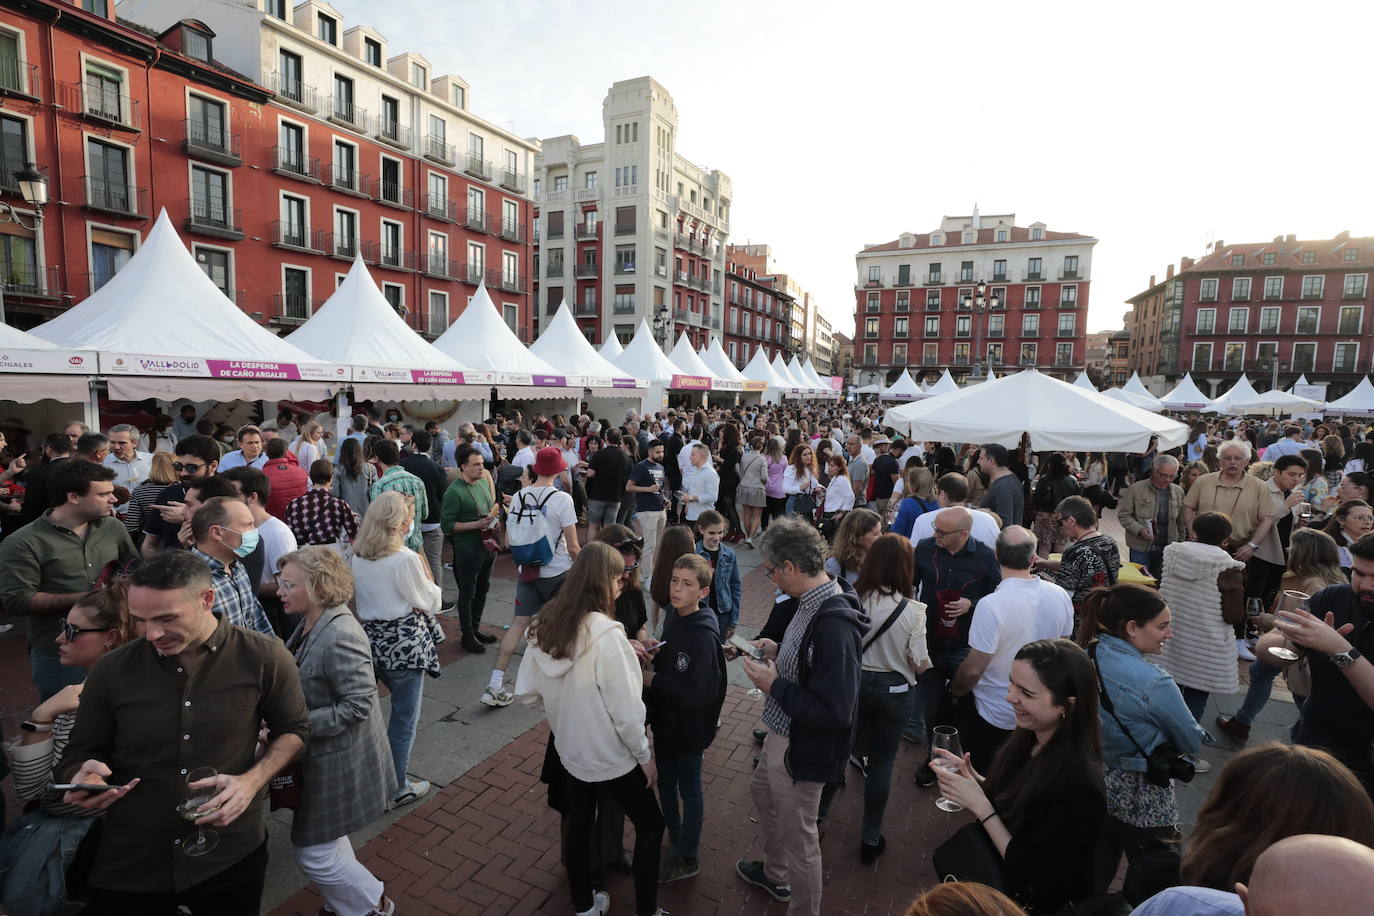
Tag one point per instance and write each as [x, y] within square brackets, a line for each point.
[1148, 701]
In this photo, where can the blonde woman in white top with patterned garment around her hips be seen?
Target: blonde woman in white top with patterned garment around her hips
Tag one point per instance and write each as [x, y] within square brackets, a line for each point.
[396, 602]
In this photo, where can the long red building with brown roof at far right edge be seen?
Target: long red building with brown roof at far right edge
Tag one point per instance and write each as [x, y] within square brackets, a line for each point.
[1273, 311]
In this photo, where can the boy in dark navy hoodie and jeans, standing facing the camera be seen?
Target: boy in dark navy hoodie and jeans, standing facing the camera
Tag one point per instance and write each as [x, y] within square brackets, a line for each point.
[686, 689]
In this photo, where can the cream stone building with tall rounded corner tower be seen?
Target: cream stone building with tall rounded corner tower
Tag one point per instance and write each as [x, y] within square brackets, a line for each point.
[629, 229]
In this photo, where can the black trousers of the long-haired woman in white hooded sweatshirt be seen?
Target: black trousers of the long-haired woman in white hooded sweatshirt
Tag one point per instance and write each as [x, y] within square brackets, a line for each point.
[641, 805]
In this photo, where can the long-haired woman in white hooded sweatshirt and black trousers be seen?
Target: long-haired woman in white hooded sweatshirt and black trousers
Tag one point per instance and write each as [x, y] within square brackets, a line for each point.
[582, 665]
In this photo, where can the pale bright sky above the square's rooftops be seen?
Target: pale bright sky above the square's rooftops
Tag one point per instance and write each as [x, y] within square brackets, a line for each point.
[1155, 128]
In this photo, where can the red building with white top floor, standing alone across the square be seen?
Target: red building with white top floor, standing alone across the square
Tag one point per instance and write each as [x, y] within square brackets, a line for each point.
[916, 301]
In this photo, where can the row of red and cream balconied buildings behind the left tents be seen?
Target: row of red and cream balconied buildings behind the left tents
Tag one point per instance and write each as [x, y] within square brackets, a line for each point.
[281, 144]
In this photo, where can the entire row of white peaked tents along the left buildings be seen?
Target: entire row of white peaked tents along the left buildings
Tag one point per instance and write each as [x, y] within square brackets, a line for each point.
[161, 329]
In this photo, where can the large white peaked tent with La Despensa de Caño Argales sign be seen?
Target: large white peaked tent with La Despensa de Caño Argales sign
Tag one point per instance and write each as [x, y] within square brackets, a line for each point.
[161, 319]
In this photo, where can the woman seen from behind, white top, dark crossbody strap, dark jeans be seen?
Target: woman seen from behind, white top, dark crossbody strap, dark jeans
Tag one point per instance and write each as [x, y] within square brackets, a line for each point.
[894, 654]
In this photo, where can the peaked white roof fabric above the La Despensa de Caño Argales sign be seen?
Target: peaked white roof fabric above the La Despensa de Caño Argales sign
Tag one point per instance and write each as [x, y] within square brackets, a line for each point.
[163, 304]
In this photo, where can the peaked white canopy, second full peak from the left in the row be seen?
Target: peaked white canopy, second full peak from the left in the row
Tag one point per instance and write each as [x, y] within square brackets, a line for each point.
[357, 326]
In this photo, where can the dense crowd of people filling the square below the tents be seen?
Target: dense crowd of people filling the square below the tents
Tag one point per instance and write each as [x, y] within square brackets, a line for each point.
[211, 613]
